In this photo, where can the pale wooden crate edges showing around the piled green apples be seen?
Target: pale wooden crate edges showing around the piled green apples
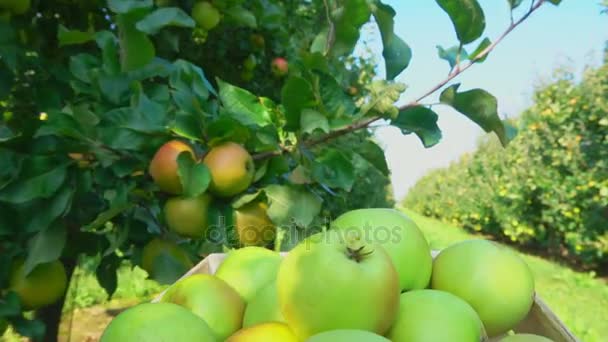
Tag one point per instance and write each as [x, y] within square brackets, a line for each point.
[540, 320]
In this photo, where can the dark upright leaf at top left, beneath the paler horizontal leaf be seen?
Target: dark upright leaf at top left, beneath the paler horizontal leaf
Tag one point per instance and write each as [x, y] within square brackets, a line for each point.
[136, 49]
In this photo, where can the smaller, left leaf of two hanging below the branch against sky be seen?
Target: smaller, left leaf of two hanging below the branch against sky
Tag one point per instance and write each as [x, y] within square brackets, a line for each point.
[419, 120]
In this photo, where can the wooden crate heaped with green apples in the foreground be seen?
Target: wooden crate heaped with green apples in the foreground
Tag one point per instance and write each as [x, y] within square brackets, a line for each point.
[370, 278]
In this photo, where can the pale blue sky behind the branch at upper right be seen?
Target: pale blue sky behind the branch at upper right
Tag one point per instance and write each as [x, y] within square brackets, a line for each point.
[571, 35]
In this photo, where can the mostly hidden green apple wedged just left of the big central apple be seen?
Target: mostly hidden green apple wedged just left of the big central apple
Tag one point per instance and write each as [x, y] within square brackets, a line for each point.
[264, 307]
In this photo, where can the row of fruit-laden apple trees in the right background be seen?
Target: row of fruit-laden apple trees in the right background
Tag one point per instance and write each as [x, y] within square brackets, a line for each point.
[549, 189]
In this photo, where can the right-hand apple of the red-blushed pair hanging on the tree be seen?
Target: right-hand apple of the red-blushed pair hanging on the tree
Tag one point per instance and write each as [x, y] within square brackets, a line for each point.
[231, 168]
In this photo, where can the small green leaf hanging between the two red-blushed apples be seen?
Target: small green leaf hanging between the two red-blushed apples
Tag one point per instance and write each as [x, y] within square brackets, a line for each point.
[195, 177]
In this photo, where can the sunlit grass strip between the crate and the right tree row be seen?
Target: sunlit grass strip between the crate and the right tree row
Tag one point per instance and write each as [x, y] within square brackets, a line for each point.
[579, 299]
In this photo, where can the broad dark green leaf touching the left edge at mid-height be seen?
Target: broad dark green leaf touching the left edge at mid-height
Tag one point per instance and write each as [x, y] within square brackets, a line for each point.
[40, 186]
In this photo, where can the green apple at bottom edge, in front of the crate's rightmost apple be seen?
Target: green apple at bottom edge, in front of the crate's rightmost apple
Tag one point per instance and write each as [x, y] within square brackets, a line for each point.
[431, 315]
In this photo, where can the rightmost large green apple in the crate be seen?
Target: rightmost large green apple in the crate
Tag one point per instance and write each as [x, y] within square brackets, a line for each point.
[495, 281]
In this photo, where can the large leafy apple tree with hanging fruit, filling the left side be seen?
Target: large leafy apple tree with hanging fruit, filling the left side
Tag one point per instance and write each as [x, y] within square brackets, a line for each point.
[91, 92]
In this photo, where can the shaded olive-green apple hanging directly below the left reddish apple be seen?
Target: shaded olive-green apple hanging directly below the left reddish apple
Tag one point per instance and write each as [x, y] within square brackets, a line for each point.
[187, 216]
